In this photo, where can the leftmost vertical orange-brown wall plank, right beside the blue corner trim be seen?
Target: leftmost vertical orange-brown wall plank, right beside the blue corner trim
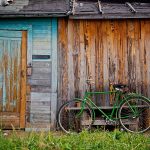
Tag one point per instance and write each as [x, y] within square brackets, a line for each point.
[62, 60]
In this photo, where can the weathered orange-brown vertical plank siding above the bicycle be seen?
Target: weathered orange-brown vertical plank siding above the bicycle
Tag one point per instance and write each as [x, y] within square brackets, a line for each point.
[108, 50]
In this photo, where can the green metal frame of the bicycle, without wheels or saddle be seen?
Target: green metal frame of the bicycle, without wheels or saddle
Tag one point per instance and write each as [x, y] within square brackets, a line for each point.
[119, 97]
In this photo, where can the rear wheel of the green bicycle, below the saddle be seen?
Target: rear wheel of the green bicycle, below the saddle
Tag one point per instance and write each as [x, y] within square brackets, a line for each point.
[134, 115]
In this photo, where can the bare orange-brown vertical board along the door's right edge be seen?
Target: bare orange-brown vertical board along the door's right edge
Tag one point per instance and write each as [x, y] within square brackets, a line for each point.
[23, 79]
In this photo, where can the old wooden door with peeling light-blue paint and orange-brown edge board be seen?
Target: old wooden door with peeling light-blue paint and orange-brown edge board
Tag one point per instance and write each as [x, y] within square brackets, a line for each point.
[12, 78]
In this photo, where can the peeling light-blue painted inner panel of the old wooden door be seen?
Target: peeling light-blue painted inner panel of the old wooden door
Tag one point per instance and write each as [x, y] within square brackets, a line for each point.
[10, 68]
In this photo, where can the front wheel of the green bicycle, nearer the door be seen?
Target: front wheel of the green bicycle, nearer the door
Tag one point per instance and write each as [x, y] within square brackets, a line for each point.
[72, 118]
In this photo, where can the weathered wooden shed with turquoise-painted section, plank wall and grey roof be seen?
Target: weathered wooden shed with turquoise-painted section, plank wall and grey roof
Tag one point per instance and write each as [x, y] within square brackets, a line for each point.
[49, 48]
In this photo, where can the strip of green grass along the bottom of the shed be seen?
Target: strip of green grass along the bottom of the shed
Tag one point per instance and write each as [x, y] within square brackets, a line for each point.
[97, 140]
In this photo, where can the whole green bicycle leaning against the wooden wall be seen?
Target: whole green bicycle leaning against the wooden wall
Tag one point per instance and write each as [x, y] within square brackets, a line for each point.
[130, 110]
